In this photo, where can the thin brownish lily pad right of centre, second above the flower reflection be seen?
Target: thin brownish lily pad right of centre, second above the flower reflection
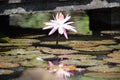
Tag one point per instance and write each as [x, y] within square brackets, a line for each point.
[77, 56]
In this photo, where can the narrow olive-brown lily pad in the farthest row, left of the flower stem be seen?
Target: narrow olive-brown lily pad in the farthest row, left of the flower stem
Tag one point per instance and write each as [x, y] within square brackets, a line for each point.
[24, 41]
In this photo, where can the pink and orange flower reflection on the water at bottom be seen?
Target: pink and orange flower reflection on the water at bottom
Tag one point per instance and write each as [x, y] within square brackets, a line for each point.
[62, 71]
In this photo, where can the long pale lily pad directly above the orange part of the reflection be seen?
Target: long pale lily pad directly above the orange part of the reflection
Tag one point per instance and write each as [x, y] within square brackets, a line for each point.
[83, 62]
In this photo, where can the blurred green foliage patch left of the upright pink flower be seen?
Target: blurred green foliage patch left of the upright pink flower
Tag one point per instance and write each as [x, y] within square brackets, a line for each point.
[34, 20]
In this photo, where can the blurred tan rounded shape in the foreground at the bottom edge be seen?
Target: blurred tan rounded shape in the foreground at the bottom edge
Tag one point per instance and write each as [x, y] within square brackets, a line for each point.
[36, 74]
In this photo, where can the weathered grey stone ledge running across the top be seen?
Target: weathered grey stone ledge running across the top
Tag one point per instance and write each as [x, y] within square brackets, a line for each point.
[62, 5]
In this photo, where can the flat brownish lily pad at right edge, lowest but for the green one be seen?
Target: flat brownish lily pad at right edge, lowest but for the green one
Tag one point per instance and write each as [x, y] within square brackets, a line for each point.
[103, 75]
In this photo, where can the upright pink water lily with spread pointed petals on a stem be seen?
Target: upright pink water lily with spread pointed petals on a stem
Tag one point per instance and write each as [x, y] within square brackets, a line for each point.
[61, 24]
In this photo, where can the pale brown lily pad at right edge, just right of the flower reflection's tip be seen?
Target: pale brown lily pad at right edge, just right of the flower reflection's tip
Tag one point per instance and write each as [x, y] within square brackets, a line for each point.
[104, 68]
